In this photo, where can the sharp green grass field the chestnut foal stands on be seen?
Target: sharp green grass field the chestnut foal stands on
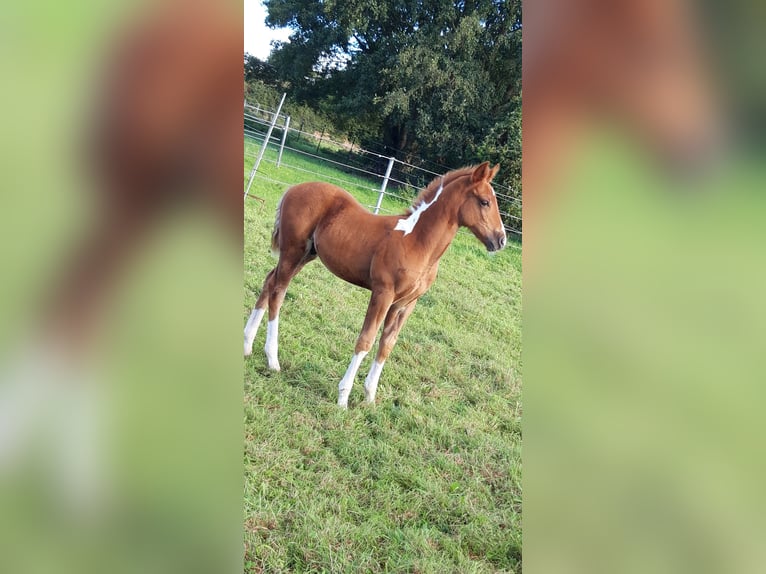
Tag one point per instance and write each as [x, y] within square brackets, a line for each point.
[426, 480]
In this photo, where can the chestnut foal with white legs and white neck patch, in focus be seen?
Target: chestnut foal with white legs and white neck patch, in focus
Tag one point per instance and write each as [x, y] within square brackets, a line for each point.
[395, 257]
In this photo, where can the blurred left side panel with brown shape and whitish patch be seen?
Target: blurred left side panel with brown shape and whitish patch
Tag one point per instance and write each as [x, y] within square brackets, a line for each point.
[120, 359]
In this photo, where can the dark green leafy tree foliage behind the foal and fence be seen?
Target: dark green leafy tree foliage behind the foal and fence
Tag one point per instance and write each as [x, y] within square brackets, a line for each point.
[429, 77]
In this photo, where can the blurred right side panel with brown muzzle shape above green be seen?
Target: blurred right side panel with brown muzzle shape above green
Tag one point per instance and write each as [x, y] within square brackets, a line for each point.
[644, 315]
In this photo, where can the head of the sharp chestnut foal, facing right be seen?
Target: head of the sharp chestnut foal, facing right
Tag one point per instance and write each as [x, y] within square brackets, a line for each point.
[479, 211]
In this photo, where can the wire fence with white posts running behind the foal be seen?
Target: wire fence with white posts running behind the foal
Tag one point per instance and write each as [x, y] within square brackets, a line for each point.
[384, 174]
